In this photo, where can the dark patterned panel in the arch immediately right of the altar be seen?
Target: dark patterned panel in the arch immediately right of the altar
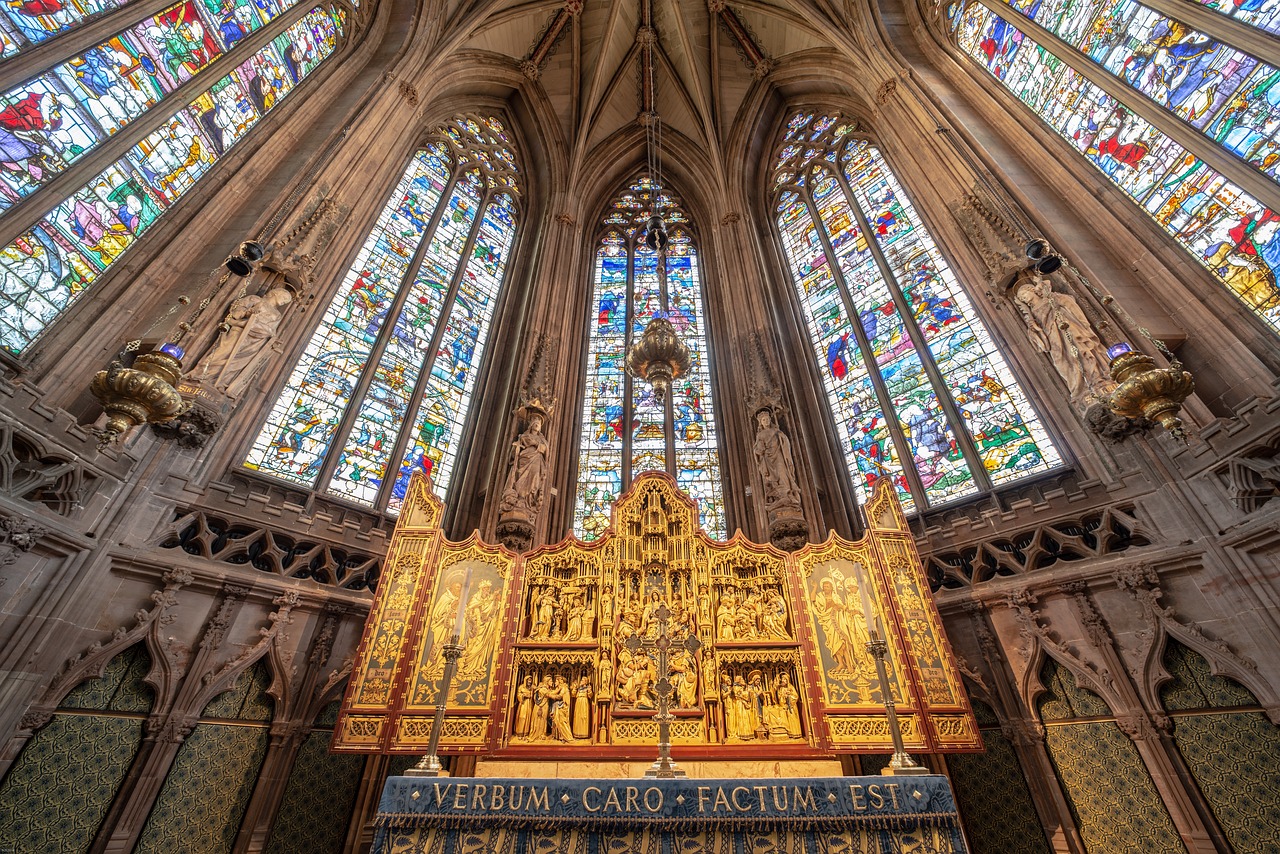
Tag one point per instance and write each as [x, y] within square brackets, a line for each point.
[995, 801]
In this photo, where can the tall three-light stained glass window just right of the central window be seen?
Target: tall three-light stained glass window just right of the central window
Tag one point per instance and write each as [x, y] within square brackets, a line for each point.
[917, 387]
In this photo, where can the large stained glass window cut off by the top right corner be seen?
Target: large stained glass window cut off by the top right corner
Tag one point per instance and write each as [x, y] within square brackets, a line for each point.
[1181, 121]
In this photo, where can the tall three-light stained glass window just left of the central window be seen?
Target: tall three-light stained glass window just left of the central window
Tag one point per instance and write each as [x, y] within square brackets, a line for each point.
[371, 396]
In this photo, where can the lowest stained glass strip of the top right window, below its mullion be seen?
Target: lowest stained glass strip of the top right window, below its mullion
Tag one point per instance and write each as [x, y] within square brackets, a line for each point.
[1228, 231]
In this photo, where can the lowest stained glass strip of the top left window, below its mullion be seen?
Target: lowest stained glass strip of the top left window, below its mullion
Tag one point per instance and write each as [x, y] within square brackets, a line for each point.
[58, 258]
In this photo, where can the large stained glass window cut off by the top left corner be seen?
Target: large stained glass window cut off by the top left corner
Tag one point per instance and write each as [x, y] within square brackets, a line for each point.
[56, 249]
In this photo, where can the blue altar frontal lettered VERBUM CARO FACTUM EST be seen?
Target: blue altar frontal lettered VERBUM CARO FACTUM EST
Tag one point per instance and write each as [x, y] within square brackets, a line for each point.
[688, 816]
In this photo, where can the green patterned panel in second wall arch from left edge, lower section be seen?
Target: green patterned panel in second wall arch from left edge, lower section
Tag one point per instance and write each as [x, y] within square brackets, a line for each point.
[207, 792]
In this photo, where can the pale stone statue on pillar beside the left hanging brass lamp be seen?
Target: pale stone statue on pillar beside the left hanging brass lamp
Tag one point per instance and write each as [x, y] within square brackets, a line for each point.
[244, 341]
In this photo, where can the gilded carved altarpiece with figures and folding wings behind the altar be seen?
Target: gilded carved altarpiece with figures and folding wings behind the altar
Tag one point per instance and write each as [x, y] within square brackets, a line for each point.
[783, 670]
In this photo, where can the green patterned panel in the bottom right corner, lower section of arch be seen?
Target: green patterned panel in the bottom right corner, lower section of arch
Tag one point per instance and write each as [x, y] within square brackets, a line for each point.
[1236, 760]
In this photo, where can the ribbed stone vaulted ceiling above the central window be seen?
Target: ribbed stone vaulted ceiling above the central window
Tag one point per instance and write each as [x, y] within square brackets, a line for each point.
[588, 57]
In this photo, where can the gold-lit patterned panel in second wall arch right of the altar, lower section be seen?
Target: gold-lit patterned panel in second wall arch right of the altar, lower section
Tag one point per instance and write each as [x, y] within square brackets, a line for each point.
[1110, 792]
